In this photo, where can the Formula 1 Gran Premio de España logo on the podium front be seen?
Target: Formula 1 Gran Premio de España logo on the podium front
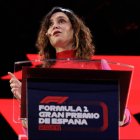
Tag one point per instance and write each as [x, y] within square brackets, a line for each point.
[56, 113]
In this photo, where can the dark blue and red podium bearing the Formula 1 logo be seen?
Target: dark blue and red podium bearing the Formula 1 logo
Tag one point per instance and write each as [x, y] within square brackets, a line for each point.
[77, 100]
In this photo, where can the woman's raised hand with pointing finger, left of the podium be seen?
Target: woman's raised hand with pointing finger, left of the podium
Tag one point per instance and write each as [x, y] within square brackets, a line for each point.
[15, 85]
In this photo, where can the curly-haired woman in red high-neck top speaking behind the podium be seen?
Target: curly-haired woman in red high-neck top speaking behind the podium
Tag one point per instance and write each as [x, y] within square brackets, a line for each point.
[63, 35]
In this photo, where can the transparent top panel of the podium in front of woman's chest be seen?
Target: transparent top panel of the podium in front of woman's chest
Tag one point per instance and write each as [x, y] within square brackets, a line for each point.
[97, 64]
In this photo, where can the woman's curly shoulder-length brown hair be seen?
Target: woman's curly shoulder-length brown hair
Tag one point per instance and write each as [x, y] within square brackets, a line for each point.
[82, 37]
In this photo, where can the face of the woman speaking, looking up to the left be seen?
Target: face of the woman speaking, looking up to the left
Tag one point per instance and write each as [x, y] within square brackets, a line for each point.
[60, 32]
